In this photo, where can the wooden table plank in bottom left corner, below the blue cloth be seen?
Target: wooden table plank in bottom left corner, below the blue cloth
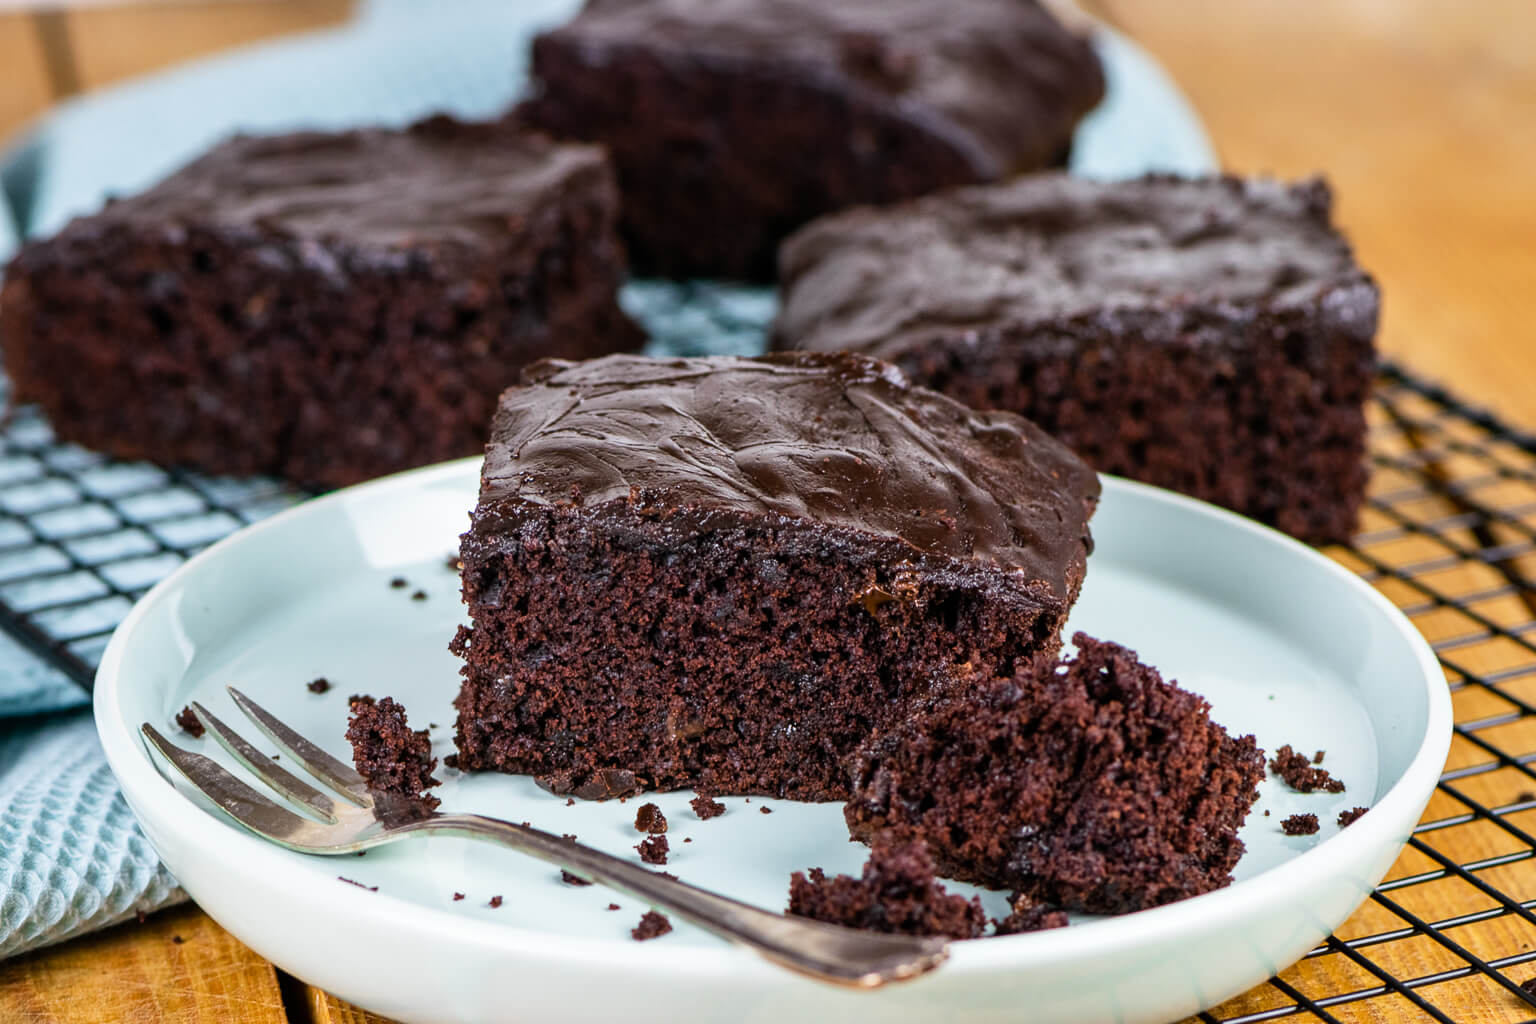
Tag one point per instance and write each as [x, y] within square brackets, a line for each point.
[142, 974]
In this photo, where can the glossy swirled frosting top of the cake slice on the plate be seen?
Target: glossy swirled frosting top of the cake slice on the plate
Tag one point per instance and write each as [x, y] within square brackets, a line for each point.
[838, 440]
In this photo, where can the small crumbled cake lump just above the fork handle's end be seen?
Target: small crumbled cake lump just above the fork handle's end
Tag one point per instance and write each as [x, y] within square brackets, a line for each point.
[896, 893]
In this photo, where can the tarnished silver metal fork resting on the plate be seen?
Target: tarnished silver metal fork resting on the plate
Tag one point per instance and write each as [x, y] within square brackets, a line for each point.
[362, 819]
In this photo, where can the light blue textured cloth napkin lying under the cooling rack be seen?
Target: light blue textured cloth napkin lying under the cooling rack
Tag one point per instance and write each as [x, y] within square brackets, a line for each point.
[71, 857]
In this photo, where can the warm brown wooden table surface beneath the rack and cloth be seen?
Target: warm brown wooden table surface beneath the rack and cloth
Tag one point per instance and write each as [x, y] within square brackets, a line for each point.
[1423, 114]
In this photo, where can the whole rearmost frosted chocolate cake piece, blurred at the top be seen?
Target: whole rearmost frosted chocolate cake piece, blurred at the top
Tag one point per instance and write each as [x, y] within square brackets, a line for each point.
[735, 122]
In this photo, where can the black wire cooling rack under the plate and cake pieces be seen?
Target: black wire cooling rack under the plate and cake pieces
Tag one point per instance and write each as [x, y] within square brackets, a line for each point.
[1449, 535]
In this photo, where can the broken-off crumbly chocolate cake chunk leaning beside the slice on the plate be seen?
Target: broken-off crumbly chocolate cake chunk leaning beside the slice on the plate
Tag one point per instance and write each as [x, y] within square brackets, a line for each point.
[1093, 785]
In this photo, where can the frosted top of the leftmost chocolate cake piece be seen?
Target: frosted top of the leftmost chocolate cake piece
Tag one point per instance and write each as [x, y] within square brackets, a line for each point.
[439, 182]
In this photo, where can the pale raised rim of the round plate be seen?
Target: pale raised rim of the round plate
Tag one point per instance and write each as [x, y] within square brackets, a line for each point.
[145, 785]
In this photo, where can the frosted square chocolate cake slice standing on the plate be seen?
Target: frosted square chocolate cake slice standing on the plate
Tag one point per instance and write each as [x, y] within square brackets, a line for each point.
[726, 573]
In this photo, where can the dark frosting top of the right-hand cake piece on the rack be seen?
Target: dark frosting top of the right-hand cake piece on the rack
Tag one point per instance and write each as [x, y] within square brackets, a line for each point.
[1051, 248]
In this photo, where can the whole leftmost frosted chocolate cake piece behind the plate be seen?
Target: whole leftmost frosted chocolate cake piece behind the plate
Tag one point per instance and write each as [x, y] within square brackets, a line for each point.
[323, 308]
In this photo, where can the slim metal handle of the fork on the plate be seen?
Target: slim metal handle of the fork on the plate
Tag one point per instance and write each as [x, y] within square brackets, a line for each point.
[823, 951]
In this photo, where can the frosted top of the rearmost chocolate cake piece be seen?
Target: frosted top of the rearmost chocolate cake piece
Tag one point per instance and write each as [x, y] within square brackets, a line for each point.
[1008, 76]
